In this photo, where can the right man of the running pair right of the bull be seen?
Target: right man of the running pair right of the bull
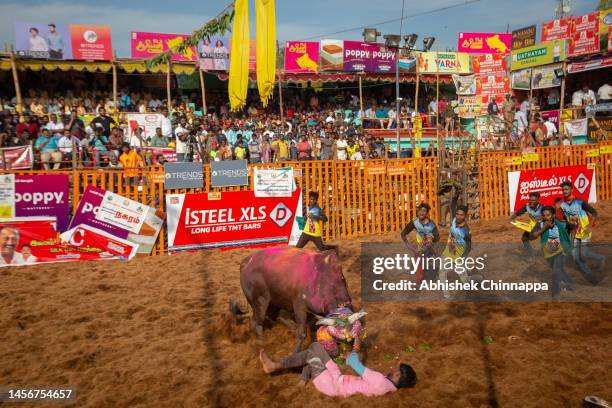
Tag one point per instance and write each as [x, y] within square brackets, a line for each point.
[458, 245]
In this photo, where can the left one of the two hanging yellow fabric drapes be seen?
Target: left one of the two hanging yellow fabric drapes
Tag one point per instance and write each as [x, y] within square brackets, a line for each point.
[239, 63]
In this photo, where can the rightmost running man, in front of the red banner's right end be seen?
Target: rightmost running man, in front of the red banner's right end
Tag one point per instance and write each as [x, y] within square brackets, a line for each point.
[577, 214]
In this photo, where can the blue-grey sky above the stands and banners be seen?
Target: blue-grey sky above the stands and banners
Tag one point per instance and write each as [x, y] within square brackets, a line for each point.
[296, 19]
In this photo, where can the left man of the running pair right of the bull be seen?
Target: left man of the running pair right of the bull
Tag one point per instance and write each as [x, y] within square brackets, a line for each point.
[426, 235]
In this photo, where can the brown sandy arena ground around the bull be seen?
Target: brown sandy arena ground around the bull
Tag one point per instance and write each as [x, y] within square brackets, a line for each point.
[155, 332]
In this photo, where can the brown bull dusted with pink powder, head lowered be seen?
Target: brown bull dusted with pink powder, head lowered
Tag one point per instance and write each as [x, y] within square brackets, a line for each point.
[292, 279]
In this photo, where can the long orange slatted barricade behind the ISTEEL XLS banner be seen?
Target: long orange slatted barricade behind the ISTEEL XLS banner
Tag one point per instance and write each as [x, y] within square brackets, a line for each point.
[360, 197]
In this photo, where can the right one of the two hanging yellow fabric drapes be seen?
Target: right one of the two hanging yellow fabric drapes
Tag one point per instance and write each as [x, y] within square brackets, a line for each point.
[266, 48]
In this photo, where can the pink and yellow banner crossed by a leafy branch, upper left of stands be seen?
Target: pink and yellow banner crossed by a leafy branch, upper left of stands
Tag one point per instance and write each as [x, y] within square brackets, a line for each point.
[146, 45]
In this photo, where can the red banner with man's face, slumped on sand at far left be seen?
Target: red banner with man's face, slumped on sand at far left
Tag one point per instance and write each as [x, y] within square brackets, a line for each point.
[36, 243]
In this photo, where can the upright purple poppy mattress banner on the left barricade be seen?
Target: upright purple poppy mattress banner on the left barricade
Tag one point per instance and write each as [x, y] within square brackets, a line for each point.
[43, 195]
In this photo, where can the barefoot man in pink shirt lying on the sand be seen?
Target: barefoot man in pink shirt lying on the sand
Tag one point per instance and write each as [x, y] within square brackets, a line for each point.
[328, 379]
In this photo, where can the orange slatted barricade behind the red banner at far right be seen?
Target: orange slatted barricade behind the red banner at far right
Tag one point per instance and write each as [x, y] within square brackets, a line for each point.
[493, 168]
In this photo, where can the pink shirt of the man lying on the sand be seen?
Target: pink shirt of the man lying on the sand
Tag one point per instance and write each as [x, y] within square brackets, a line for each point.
[333, 383]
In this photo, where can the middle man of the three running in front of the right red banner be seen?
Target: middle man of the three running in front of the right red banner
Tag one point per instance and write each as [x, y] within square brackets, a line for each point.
[555, 242]
